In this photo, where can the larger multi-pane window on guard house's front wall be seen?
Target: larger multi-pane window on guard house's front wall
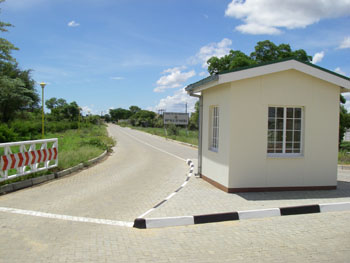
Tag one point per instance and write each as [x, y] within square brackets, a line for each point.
[284, 136]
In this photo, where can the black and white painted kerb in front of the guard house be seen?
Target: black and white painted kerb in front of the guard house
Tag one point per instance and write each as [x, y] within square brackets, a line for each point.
[239, 215]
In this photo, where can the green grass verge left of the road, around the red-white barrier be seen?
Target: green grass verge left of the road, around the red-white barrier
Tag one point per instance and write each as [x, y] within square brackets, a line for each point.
[75, 147]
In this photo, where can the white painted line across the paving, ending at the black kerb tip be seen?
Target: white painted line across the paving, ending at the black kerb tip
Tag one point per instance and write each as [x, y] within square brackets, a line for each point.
[66, 217]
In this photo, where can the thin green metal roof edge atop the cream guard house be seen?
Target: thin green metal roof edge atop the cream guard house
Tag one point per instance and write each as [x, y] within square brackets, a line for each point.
[216, 76]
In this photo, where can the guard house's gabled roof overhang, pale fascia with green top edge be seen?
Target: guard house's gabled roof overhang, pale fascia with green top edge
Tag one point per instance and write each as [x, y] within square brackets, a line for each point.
[260, 70]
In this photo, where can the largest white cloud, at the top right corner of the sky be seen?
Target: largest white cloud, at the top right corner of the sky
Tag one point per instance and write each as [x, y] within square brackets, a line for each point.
[268, 16]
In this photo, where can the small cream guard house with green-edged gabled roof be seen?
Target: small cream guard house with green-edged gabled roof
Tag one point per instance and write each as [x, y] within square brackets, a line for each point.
[270, 127]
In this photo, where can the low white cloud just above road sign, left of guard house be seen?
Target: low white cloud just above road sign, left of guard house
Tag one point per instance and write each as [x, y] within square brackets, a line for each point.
[177, 102]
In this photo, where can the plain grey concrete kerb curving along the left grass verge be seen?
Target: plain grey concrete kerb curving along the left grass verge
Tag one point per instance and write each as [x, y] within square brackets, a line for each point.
[8, 188]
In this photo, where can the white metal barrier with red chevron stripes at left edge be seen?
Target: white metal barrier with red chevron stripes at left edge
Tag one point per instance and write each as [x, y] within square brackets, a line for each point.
[29, 159]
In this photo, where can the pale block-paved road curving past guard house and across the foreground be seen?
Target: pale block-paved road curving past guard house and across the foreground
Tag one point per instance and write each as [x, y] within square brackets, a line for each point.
[142, 171]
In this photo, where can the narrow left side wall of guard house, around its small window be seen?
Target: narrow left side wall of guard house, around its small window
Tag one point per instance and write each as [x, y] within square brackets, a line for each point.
[215, 165]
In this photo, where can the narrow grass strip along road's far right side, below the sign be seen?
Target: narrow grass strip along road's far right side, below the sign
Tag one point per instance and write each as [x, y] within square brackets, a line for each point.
[191, 138]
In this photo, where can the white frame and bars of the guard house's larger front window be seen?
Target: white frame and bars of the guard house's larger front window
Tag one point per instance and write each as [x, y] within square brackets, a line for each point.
[284, 154]
